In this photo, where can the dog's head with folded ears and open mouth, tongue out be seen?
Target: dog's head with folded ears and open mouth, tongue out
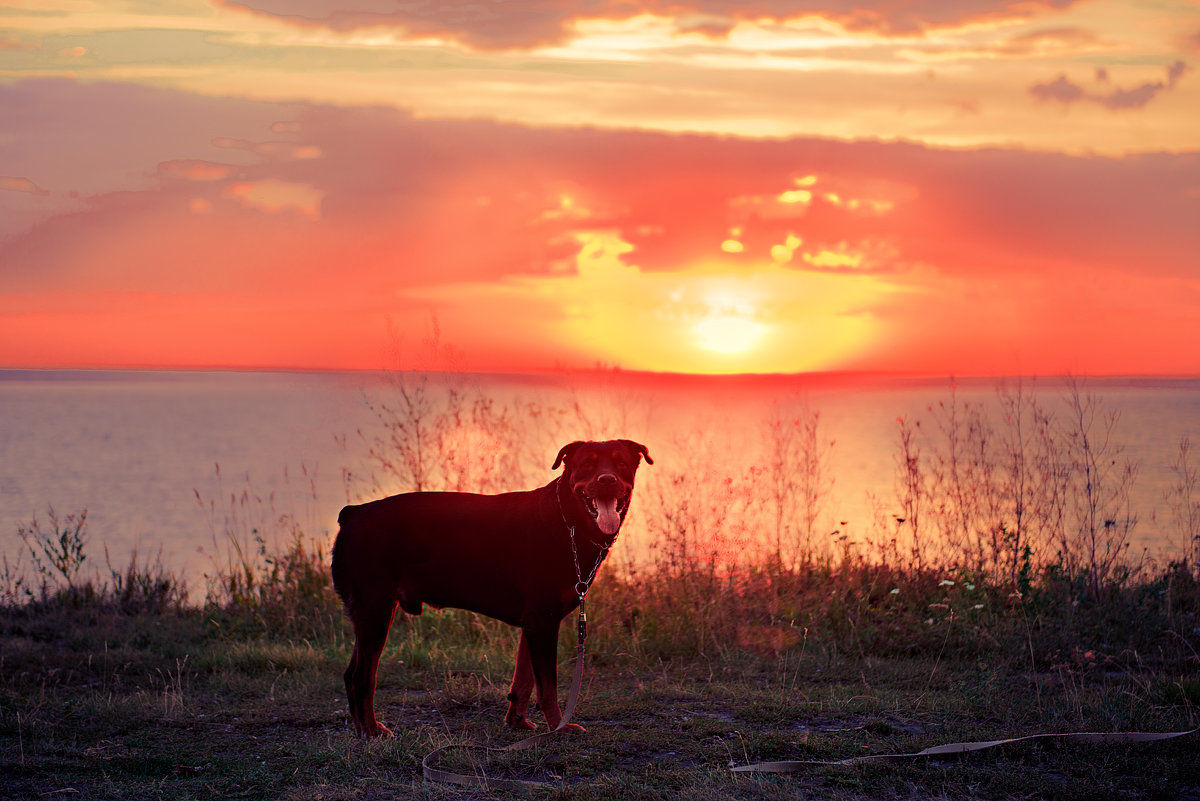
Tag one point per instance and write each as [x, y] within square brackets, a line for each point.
[601, 475]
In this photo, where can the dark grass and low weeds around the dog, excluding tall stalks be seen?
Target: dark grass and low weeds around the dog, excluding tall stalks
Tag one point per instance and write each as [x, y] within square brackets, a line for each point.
[99, 701]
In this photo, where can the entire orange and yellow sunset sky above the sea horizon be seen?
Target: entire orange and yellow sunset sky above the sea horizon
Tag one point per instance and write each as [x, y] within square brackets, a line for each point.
[976, 188]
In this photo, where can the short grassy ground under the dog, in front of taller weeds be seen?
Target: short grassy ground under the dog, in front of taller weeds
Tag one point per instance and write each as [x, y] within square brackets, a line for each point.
[103, 703]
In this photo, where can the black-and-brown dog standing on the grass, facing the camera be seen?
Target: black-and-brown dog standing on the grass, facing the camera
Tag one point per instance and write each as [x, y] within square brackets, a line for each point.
[524, 558]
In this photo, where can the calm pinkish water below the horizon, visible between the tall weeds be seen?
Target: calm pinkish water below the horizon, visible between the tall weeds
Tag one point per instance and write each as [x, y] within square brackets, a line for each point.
[155, 457]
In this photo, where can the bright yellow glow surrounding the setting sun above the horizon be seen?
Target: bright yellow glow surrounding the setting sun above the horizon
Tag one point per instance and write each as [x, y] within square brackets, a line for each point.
[704, 320]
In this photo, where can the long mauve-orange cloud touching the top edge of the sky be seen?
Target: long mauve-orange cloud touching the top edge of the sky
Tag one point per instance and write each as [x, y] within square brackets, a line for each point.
[532, 23]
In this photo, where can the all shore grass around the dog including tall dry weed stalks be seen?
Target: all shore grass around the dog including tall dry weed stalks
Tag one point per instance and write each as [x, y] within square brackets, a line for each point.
[713, 651]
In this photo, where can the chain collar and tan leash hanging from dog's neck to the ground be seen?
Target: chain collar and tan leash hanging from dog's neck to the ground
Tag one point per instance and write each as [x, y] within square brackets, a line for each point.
[573, 697]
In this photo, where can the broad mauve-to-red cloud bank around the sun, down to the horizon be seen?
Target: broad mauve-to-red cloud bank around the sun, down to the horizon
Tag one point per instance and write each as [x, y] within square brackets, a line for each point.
[536, 249]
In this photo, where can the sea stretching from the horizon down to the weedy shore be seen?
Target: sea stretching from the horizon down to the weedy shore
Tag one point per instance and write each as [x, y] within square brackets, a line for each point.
[173, 466]
